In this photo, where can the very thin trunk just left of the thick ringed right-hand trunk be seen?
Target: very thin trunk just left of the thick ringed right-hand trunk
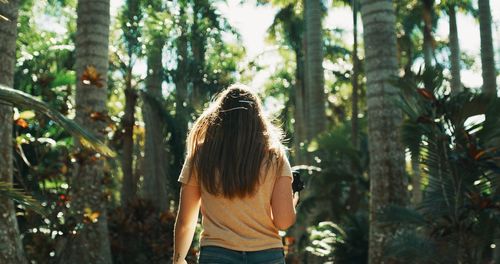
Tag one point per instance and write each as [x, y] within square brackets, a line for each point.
[355, 80]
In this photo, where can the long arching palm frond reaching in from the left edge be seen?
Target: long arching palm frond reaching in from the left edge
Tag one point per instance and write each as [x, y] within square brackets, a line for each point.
[86, 138]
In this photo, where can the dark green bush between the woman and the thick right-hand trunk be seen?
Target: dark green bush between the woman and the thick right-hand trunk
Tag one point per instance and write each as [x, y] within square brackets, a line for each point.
[343, 174]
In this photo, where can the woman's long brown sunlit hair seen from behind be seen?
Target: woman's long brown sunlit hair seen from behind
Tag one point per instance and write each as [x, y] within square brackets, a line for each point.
[231, 142]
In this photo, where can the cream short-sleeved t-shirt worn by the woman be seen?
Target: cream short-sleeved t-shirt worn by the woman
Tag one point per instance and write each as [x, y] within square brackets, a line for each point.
[242, 224]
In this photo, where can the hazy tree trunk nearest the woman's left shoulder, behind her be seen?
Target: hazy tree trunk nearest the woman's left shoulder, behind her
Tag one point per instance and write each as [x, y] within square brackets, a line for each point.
[156, 158]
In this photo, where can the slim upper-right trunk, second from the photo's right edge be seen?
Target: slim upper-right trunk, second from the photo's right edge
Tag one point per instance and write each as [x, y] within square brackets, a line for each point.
[456, 84]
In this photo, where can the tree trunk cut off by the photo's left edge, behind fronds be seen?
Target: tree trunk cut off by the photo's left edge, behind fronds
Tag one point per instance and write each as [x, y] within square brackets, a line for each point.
[11, 248]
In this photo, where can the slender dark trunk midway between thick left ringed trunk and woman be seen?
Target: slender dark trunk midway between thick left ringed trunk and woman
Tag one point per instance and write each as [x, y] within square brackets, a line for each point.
[129, 184]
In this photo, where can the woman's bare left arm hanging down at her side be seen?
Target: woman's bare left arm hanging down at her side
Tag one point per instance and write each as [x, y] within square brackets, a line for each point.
[185, 224]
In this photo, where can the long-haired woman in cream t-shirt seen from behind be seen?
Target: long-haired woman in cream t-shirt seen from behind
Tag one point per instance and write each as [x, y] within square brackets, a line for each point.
[237, 171]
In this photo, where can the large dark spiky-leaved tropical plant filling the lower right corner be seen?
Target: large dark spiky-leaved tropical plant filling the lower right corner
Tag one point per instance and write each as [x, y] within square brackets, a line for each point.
[460, 147]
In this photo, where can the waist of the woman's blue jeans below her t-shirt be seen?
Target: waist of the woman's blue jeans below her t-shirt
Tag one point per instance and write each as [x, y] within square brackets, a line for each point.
[220, 255]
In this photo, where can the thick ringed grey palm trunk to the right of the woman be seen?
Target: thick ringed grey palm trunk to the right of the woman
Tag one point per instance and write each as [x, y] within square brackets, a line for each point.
[384, 119]
